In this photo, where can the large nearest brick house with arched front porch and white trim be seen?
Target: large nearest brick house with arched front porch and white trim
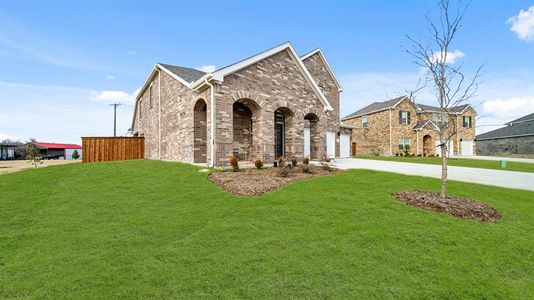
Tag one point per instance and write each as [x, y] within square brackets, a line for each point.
[269, 105]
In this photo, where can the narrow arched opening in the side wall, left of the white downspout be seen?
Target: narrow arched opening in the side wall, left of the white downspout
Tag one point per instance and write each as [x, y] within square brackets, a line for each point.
[200, 132]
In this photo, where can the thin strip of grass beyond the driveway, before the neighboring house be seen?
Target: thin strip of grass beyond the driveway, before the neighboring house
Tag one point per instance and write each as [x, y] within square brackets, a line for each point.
[460, 162]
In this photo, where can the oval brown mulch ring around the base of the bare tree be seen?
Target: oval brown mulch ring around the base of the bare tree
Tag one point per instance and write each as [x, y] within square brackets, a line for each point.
[453, 205]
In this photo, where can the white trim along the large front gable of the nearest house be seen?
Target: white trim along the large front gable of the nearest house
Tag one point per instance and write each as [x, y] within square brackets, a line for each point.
[221, 73]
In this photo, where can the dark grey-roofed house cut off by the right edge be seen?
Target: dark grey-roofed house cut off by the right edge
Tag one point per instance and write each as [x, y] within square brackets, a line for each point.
[516, 138]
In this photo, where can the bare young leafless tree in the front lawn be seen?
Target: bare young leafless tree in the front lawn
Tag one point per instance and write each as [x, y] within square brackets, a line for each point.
[447, 80]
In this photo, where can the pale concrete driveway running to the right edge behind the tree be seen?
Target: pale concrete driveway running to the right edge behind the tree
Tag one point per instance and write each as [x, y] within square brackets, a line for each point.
[507, 179]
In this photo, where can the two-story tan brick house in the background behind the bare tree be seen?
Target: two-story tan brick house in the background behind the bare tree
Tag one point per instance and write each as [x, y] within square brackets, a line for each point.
[383, 128]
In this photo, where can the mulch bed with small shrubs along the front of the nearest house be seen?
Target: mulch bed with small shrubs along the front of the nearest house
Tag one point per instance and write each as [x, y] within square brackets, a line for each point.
[254, 182]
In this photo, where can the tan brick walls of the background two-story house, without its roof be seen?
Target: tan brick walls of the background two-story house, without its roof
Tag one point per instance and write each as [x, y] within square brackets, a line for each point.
[376, 139]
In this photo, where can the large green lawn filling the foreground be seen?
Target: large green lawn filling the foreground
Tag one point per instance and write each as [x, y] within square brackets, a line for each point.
[151, 229]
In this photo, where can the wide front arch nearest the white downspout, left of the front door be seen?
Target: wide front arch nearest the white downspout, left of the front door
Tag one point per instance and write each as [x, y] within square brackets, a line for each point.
[245, 114]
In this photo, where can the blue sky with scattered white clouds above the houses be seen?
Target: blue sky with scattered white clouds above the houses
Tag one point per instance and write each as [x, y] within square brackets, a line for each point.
[63, 62]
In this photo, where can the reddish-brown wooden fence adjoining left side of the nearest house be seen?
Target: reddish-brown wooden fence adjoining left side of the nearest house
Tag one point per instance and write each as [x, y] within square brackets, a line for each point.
[96, 149]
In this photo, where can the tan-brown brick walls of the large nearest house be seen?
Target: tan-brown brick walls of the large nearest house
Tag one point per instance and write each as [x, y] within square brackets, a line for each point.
[263, 87]
